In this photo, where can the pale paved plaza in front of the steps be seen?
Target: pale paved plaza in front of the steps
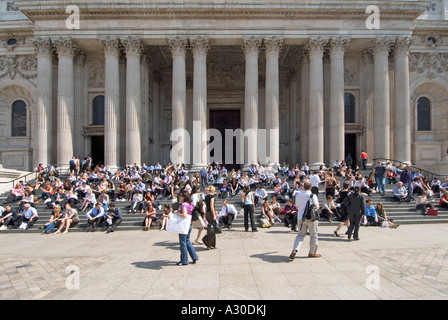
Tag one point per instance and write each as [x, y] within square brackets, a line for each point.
[410, 262]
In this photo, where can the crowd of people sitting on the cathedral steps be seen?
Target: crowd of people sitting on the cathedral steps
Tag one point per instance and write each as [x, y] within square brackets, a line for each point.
[93, 191]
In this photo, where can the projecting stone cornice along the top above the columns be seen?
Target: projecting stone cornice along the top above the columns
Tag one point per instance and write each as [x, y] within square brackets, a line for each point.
[187, 10]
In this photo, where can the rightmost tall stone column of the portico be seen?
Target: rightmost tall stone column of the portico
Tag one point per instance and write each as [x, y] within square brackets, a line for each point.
[402, 114]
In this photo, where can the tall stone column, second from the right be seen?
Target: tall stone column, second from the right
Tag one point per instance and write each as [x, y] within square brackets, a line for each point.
[381, 101]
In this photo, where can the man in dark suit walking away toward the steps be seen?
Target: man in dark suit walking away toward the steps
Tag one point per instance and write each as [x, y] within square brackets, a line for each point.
[356, 208]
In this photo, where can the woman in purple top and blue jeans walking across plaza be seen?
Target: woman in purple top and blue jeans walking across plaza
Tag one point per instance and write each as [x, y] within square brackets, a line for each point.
[186, 247]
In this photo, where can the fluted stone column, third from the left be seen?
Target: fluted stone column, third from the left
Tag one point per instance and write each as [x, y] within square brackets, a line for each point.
[111, 101]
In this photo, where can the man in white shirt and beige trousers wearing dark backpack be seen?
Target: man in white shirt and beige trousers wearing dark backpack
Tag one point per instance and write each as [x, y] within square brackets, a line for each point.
[306, 202]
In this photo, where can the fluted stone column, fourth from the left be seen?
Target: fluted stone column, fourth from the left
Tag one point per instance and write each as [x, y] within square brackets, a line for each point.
[133, 48]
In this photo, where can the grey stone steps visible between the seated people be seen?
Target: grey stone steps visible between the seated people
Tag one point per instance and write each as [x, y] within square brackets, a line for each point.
[401, 213]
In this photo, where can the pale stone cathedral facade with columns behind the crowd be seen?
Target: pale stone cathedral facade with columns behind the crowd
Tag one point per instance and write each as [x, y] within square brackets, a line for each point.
[323, 78]
